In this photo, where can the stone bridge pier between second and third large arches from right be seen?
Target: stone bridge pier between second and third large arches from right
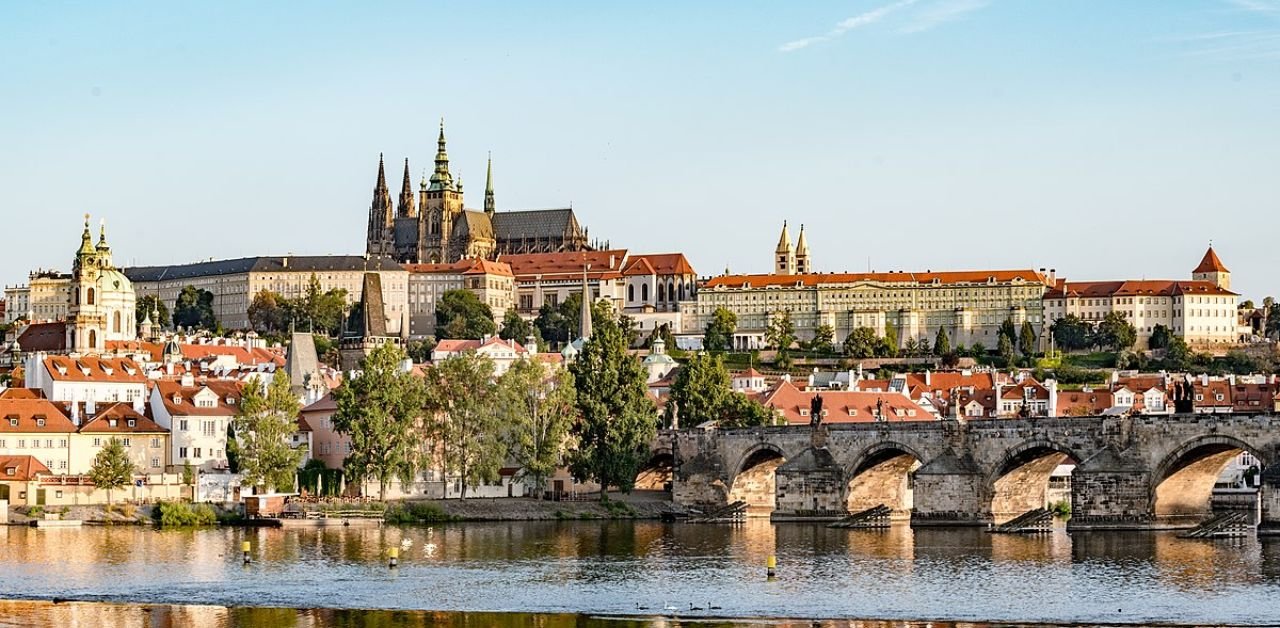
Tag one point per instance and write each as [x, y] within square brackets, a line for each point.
[952, 491]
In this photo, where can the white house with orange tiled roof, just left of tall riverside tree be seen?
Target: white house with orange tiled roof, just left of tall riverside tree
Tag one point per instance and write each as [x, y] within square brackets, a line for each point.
[196, 416]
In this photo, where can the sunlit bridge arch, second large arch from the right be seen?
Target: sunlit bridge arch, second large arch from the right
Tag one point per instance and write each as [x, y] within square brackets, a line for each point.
[1022, 480]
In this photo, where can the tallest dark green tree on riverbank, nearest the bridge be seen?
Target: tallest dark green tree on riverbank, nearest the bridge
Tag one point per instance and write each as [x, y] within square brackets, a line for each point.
[616, 419]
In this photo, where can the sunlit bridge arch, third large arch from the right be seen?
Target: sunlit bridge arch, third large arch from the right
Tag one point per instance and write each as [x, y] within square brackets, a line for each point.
[883, 475]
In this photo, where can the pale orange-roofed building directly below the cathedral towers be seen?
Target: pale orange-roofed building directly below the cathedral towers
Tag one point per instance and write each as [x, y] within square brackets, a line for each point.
[493, 283]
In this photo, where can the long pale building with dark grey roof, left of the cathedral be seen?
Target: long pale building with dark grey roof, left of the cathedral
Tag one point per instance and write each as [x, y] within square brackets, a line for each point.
[235, 283]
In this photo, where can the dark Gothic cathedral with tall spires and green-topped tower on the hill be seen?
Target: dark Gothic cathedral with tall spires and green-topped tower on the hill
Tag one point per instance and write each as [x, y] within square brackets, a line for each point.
[437, 228]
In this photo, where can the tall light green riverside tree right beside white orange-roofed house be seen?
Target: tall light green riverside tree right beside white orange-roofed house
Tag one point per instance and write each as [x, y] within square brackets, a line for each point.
[264, 423]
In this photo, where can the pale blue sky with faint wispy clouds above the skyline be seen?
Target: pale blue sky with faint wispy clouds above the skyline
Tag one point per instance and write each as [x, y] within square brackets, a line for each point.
[1104, 140]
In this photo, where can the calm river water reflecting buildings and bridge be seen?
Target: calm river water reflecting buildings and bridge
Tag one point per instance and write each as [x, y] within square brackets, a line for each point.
[647, 569]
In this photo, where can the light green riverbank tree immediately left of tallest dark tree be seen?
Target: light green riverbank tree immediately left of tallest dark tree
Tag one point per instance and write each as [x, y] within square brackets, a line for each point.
[538, 411]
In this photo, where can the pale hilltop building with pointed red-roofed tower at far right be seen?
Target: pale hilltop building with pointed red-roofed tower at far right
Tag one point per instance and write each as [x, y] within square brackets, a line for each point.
[1203, 311]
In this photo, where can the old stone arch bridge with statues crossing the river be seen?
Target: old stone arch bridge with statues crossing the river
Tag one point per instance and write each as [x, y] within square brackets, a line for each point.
[1131, 473]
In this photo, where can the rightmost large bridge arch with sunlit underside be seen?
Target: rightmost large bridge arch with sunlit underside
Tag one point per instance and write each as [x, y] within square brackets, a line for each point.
[1182, 484]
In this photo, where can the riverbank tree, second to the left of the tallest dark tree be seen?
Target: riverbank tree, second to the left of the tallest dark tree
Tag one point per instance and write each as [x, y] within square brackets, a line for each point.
[464, 395]
